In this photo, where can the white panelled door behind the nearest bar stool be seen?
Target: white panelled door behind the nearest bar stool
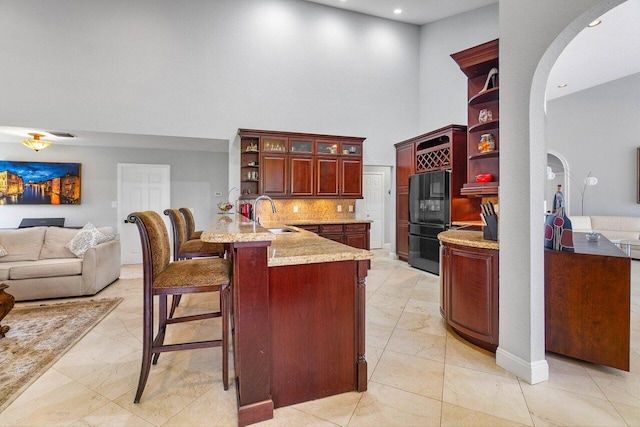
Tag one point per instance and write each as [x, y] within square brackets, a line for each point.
[140, 188]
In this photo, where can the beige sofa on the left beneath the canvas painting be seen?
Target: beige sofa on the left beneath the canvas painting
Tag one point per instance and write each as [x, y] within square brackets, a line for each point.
[38, 263]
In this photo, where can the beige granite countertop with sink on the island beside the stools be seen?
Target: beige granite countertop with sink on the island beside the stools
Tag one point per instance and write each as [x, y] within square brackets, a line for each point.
[301, 247]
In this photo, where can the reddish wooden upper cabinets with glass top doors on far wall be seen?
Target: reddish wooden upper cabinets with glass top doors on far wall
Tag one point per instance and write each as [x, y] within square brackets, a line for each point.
[300, 165]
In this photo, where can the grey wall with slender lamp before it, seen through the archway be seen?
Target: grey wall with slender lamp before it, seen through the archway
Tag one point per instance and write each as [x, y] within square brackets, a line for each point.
[596, 130]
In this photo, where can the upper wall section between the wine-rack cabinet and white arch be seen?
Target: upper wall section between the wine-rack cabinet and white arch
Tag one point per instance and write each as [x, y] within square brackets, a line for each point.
[443, 87]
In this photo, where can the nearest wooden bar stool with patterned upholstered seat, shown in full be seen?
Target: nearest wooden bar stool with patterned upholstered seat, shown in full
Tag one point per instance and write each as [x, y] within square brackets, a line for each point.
[163, 278]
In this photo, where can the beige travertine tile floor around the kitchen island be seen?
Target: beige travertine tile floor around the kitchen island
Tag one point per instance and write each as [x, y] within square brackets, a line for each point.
[421, 374]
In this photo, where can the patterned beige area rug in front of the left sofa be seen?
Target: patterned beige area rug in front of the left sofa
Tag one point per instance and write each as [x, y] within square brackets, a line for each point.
[39, 336]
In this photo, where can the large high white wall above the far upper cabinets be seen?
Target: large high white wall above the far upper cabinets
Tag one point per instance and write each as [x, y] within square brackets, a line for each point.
[203, 68]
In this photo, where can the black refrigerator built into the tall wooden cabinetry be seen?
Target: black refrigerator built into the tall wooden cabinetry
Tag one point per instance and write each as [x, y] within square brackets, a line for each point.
[429, 214]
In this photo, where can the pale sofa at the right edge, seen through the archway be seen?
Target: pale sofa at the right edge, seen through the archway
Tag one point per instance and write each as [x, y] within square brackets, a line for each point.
[615, 228]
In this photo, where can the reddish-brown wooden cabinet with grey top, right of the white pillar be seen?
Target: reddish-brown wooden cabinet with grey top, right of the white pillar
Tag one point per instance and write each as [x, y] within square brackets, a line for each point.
[587, 300]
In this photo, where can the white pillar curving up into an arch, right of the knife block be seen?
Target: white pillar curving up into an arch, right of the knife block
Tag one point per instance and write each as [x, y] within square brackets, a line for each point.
[532, 36]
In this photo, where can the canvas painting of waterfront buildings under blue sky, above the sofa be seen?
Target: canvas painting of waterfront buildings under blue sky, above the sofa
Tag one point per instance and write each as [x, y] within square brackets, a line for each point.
[39, 183]
